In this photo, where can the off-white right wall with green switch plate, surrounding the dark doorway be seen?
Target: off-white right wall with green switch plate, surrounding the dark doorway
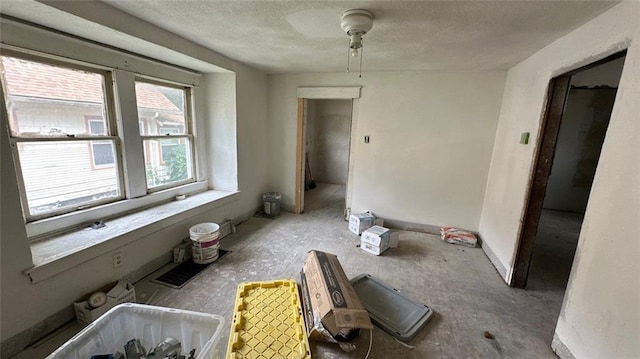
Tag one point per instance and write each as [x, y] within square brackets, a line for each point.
[600, 316]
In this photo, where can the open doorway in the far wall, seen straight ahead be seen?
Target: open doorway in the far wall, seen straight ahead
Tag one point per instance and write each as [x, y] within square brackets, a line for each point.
[327, 139]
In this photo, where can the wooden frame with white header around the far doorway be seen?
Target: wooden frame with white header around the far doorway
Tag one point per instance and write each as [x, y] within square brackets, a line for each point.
[319, 93]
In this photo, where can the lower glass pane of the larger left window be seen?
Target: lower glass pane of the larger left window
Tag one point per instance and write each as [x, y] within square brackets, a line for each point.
[64, 174]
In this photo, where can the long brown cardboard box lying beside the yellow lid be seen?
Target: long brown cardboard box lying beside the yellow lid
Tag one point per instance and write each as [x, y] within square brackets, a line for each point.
[332, 307]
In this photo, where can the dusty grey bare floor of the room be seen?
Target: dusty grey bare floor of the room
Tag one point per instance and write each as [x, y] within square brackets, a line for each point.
[458, 283]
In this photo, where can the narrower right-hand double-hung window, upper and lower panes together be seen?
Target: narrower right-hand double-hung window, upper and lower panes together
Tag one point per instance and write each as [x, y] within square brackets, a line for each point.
[165, 134]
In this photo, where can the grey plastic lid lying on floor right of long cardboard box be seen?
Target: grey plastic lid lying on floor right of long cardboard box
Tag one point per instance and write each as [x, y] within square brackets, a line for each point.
[397, 314]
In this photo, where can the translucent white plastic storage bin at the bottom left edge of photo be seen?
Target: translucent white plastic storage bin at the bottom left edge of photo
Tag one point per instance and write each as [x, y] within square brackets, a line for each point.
[109, 333]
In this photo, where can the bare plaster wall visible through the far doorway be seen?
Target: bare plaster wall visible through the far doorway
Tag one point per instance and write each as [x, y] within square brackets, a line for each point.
[331, 137]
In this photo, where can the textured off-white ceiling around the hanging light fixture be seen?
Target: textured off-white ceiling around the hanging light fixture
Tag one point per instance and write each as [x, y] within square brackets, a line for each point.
[285, 36]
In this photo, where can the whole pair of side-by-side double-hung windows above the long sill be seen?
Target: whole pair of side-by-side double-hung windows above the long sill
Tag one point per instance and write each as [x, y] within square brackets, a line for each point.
[69, 142]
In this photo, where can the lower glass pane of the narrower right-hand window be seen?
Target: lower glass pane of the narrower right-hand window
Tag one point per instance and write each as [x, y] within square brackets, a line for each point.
[167, 161]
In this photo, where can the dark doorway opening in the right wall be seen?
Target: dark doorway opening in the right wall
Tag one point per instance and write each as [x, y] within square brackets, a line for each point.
[571, 138]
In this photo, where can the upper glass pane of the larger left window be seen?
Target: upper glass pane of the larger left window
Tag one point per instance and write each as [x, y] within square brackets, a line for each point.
[46, 100]
